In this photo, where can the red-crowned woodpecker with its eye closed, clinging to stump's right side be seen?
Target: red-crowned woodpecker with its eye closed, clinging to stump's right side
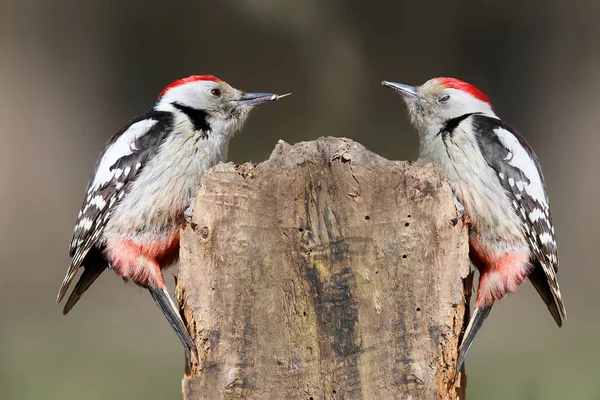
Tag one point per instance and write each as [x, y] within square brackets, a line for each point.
[499, 189]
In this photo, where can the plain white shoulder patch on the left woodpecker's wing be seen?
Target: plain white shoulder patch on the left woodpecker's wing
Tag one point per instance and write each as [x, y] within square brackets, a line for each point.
[122, 147]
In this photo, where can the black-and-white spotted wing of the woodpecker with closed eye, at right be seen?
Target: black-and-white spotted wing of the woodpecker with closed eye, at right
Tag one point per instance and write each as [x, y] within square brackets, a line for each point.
[509, 154]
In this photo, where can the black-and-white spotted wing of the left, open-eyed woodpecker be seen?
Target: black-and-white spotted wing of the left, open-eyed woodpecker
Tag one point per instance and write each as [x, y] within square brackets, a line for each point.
[121, 160]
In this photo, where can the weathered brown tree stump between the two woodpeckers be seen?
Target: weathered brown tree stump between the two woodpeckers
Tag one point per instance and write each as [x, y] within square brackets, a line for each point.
[325, 272]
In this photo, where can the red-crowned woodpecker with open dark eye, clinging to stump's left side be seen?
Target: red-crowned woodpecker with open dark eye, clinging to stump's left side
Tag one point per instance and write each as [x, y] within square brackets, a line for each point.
[144, 182]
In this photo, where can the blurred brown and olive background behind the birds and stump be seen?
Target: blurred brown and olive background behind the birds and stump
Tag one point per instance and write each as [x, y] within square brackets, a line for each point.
[73, 72]
